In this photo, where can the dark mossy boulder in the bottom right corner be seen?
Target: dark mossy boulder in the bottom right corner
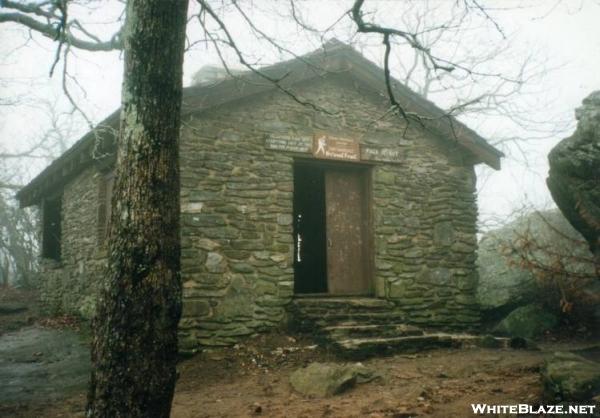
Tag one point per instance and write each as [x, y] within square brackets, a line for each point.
[570, 378]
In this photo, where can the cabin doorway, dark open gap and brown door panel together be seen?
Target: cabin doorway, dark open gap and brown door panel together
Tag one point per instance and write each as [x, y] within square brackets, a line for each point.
[332, 251]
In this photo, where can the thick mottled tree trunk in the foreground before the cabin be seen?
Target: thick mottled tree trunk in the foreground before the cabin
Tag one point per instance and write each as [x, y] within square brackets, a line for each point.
[134, 349]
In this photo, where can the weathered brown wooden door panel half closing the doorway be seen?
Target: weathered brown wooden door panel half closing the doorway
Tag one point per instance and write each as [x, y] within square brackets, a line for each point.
[347, 224]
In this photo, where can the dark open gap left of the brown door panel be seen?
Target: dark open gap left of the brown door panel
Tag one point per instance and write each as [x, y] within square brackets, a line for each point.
[310, 251]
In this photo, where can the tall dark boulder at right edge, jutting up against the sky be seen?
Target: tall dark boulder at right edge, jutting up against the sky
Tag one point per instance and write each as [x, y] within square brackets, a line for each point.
[574, 176]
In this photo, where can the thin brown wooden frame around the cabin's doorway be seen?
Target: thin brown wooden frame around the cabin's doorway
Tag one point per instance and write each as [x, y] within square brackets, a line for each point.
[366, 170]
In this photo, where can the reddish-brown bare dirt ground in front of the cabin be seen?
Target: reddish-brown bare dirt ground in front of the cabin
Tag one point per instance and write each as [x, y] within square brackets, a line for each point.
[252, 379]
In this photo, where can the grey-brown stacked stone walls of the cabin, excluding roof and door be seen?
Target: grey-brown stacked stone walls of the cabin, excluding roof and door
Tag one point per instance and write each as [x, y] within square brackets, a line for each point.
[237, 198]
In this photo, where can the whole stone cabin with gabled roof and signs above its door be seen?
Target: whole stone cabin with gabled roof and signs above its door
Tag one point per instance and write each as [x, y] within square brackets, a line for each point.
[321, 198]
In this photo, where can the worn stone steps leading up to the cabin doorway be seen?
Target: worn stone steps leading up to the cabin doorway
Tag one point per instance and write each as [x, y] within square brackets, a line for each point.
[359, 328]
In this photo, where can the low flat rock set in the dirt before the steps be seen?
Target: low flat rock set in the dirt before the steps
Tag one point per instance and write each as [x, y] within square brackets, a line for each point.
[328, 379]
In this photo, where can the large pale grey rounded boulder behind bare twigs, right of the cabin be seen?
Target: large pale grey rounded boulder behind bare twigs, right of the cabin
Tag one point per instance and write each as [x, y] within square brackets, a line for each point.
[514, 262]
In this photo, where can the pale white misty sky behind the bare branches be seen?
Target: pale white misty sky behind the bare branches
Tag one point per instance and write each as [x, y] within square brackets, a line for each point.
[562, 40]
